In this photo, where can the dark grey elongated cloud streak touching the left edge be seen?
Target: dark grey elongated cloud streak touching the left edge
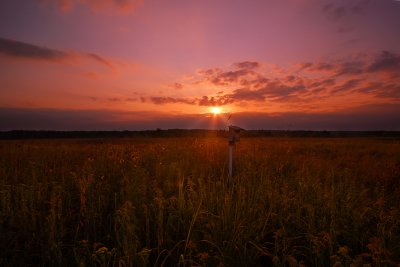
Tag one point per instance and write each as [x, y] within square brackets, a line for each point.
[18, 49]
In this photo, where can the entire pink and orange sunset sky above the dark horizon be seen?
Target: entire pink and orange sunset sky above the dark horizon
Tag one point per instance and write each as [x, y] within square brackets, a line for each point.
[148, 64]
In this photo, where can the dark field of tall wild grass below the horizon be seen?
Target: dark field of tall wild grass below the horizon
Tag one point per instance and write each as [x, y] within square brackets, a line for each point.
[170, 202]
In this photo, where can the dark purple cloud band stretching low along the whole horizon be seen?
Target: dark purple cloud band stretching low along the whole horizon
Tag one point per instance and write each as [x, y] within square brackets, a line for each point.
[367, 118]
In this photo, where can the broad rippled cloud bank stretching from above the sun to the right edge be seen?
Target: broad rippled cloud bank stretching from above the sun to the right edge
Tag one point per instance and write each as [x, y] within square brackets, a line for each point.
[304, 81]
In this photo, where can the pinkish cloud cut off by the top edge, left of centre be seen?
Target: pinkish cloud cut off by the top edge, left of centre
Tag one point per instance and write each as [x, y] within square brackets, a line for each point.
[121, 6]
